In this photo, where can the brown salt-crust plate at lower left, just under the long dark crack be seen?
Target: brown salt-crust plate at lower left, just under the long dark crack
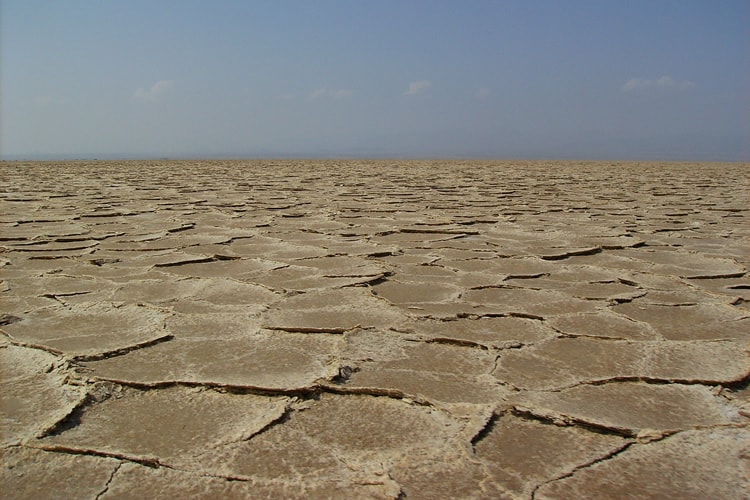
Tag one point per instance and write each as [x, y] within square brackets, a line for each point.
[173, 425]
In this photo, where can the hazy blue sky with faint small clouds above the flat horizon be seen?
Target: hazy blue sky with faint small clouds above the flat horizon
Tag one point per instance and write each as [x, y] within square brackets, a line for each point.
[628, 79]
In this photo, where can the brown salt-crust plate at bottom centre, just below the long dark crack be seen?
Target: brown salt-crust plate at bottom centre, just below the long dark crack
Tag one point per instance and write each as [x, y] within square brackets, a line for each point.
[353, 429]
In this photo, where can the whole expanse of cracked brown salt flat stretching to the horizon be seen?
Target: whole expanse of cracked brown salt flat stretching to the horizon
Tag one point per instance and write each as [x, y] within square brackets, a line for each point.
[358, 329]
